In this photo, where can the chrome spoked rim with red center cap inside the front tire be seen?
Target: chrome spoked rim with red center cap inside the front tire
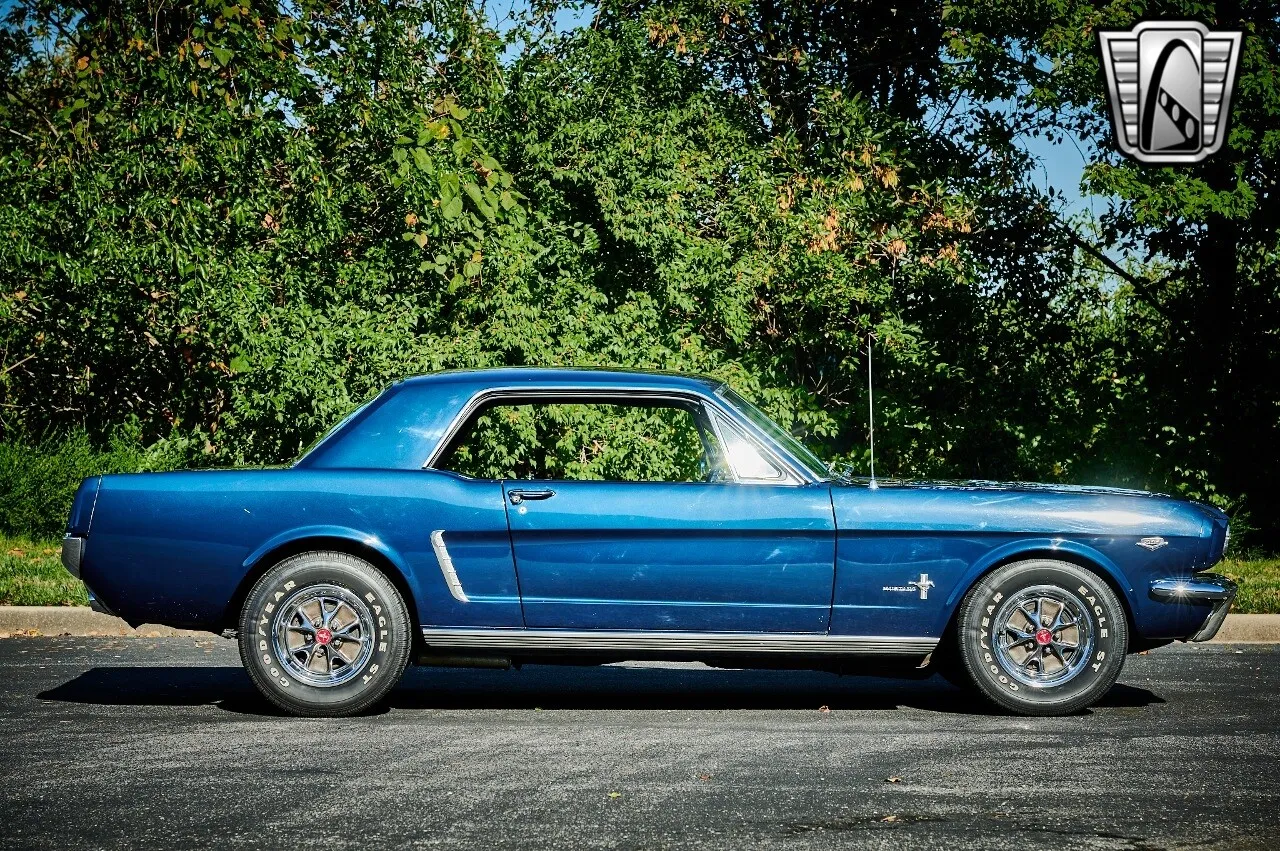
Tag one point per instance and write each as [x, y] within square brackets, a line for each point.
[1043, 637]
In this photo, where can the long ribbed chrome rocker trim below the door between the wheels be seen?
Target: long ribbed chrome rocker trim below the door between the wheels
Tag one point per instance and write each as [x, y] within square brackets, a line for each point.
[620, 640]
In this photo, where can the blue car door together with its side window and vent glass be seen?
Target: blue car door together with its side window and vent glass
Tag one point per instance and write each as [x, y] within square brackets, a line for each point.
[632, 520]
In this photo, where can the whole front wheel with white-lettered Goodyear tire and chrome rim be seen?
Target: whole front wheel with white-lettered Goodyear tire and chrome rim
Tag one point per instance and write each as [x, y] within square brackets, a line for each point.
[1043, 638]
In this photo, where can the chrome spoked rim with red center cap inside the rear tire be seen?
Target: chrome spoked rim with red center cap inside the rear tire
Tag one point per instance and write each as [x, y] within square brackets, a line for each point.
[323, 635]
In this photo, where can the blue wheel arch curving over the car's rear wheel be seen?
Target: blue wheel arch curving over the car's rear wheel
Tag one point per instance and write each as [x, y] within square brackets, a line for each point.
[332, 539]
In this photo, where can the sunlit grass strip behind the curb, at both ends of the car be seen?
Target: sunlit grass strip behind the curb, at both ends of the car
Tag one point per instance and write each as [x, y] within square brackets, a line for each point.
[33, 574]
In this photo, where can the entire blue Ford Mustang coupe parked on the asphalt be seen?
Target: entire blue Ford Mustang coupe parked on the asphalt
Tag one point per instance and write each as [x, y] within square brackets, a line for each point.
[575, 516]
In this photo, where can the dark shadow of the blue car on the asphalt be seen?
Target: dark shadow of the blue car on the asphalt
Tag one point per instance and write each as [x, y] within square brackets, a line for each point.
[556, 688]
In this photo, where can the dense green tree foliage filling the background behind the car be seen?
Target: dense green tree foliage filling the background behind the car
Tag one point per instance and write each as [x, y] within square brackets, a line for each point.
[225, 225]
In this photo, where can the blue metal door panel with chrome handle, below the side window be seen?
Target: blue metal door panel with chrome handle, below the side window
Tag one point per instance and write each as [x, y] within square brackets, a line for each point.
[673, 556]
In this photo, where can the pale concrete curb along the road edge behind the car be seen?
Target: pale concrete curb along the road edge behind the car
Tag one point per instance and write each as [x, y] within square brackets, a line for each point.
[83, 621]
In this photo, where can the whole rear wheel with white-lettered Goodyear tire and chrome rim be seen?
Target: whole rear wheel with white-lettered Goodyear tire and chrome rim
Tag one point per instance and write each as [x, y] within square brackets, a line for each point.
[324, 634]
